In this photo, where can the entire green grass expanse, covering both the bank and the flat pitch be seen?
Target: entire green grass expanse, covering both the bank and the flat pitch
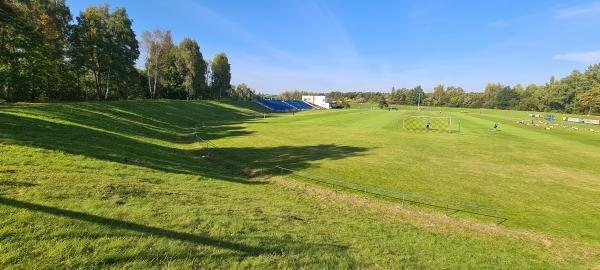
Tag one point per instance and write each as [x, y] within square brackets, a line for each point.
[128, 185]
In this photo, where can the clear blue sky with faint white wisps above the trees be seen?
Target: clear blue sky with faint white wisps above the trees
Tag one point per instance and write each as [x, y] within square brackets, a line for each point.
[346, 45]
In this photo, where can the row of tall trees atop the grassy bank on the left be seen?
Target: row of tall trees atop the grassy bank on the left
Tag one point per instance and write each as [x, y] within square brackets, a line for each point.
[45, 55]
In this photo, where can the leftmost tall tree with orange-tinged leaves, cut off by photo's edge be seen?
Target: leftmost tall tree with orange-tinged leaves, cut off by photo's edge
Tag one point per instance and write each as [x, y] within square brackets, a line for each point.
[33, 38]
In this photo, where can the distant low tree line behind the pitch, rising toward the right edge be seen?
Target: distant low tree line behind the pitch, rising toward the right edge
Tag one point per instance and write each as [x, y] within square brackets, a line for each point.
[578, 92]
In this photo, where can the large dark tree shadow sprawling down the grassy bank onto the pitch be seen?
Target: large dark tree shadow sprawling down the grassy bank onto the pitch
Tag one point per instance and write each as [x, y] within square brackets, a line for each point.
[104, 138]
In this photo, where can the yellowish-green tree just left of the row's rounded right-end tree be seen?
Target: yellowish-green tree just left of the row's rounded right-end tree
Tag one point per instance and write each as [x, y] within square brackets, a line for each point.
[191, 67]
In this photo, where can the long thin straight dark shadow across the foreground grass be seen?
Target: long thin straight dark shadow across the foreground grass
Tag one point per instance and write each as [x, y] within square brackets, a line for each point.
[245, 250]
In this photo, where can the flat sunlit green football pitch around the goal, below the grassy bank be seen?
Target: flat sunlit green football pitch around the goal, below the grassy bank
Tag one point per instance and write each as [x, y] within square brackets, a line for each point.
[542, 180]
